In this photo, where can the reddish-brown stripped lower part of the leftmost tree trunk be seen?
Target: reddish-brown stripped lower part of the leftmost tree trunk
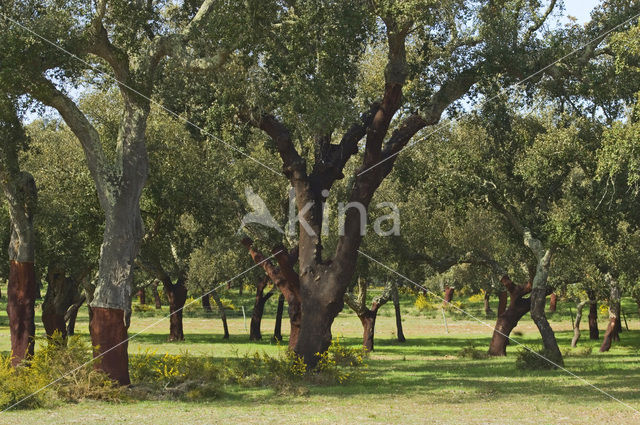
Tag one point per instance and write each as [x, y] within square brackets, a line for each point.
[21, 296]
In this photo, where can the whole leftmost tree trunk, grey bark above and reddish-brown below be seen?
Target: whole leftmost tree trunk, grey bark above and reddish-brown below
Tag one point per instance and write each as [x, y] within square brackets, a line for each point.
[20, 192]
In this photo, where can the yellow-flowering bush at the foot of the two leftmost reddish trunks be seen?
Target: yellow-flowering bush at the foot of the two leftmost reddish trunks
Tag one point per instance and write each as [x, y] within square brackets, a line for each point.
[64, 368]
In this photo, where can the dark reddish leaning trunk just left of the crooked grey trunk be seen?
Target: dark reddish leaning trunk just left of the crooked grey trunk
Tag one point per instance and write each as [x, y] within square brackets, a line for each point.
[509, 318]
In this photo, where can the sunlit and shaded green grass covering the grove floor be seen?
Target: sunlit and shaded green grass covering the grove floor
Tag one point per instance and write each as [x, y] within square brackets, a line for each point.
[420, 381]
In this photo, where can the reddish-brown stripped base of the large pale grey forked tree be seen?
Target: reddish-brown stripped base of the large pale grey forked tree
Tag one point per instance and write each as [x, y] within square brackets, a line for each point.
[109, 338]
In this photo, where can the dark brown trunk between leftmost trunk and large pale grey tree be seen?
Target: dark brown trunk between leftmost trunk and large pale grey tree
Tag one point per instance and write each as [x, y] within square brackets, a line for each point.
[61, 293]
